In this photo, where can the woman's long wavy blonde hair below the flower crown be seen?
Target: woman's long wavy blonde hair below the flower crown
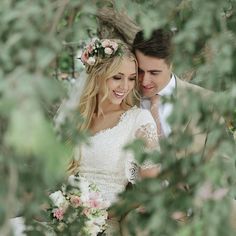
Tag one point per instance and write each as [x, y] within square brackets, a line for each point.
[98, 74]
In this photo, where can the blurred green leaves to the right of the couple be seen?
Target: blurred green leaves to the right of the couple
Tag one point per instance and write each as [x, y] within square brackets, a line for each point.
[200, 188]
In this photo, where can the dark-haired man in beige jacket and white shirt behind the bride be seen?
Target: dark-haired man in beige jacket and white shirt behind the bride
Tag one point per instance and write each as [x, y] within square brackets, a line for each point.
[157, 81]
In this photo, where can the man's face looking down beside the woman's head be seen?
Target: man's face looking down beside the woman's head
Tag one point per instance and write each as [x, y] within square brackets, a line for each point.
[154, 74]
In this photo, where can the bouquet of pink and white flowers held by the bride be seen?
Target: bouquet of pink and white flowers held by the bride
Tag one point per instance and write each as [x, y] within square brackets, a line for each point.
[78, 205]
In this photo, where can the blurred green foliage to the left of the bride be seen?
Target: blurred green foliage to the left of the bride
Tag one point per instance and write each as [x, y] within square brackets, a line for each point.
[33, 158]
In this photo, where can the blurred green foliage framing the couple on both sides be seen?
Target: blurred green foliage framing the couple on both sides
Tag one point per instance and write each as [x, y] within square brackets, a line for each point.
[38, 40]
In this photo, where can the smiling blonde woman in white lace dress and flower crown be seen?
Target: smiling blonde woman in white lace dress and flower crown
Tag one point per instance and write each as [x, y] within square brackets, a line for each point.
[107, 107]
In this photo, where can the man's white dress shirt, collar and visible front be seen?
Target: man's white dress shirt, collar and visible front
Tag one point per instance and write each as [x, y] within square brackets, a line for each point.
[165, 109]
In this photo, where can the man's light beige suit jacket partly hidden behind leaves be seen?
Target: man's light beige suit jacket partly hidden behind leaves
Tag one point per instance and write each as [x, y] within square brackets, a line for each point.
[200, 135]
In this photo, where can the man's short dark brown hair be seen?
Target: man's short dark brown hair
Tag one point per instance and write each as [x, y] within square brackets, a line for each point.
[157, 45]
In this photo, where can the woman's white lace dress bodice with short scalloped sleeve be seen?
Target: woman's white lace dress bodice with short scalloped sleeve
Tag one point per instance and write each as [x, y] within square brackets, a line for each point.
[106, 163]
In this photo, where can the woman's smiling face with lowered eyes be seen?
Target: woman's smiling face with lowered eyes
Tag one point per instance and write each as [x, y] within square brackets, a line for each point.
[121, 84]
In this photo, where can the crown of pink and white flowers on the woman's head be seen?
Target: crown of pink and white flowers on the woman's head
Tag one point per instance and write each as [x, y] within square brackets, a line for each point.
[97, 48]
